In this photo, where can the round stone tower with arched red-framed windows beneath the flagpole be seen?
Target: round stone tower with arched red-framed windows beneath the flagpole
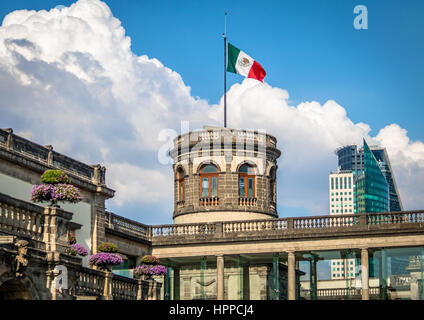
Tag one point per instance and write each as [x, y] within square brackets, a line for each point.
[224, 174]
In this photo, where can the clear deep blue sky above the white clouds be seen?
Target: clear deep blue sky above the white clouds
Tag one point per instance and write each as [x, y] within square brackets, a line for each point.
[308, 47]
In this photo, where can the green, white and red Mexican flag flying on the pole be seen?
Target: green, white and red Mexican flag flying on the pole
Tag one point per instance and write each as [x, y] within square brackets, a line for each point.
[239, 62]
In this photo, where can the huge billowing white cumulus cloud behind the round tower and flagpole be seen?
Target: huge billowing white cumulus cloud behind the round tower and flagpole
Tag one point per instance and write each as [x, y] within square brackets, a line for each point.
[68, 78]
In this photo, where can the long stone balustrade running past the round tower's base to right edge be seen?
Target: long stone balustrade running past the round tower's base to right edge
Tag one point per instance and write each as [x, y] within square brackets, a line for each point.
[293, 226]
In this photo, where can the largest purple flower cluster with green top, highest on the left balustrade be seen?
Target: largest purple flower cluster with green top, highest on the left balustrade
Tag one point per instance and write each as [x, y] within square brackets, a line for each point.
[55, 187]
